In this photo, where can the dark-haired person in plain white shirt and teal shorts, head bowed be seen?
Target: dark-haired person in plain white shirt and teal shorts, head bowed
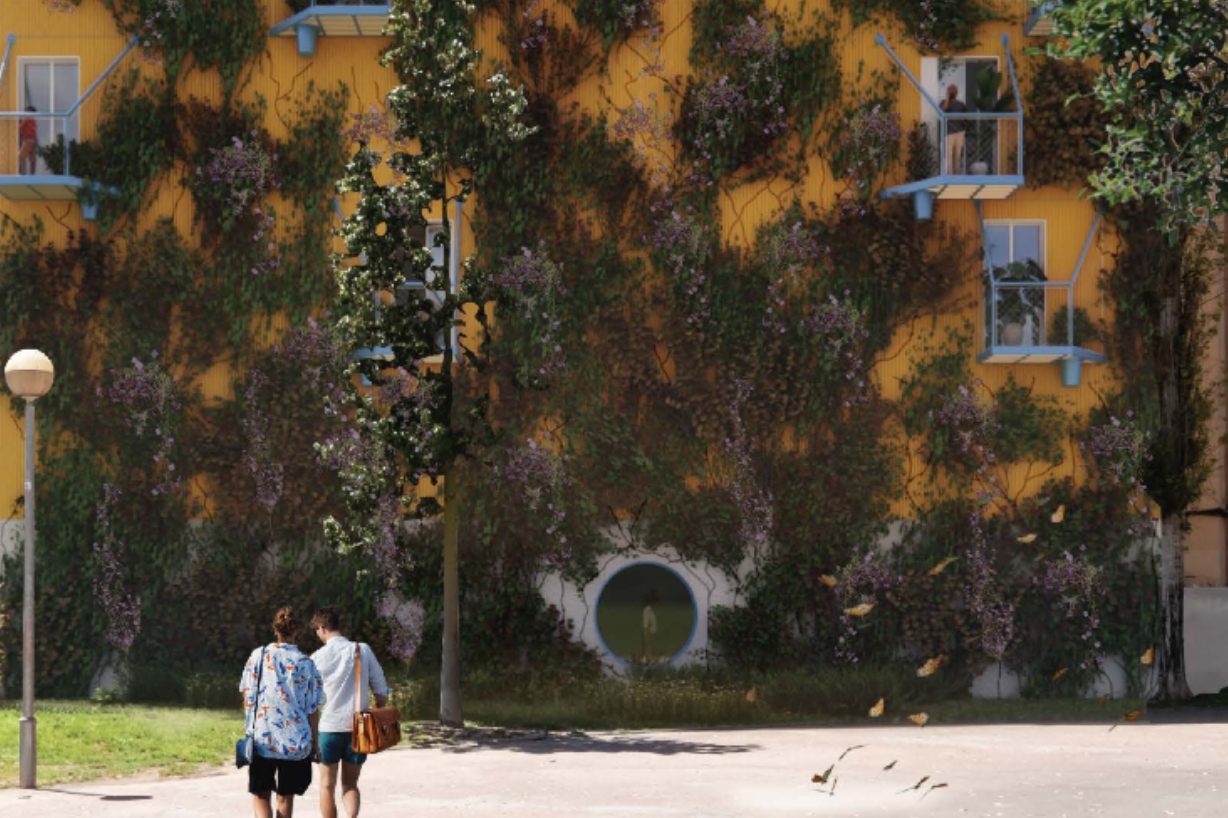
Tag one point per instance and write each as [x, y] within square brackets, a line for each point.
[336, 663]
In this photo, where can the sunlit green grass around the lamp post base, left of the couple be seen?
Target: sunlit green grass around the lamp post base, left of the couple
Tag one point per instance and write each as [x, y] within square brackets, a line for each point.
[80, 741]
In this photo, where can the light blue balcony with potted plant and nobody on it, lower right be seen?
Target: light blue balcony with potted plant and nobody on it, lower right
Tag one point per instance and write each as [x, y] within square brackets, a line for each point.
[1032, 320]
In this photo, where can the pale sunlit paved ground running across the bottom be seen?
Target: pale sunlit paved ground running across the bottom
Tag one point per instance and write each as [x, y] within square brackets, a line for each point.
[1010, 772]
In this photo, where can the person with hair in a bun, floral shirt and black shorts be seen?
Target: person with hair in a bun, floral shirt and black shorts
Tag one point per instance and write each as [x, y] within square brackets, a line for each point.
[286, 722]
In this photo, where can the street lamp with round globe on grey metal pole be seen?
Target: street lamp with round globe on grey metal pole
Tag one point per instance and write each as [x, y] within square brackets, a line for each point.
[30, 376]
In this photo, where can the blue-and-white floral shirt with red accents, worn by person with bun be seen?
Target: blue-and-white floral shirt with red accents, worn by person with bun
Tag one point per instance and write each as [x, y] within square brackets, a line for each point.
[290, 692]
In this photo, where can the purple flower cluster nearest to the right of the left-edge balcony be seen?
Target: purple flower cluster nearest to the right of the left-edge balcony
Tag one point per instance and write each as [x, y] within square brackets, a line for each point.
[247, 174]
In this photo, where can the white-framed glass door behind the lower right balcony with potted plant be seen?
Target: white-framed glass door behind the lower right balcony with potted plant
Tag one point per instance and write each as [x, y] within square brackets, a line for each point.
[1015, 255]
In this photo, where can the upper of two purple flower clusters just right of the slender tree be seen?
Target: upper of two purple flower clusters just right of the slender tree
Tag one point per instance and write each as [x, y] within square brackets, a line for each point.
[532, 283]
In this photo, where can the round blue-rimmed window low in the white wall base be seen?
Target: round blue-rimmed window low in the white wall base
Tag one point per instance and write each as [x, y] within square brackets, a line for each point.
[647, 615]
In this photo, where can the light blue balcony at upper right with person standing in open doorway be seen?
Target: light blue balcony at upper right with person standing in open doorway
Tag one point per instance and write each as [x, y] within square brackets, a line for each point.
[979, 153]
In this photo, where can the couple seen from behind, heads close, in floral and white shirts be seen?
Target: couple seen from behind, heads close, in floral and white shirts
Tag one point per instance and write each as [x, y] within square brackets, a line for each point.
[283, 692]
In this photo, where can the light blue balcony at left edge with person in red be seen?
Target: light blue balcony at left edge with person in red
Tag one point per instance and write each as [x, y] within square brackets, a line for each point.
[28, 176]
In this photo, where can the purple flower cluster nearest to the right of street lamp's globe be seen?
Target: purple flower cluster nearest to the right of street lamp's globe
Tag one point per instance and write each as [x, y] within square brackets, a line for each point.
[148, 395]
